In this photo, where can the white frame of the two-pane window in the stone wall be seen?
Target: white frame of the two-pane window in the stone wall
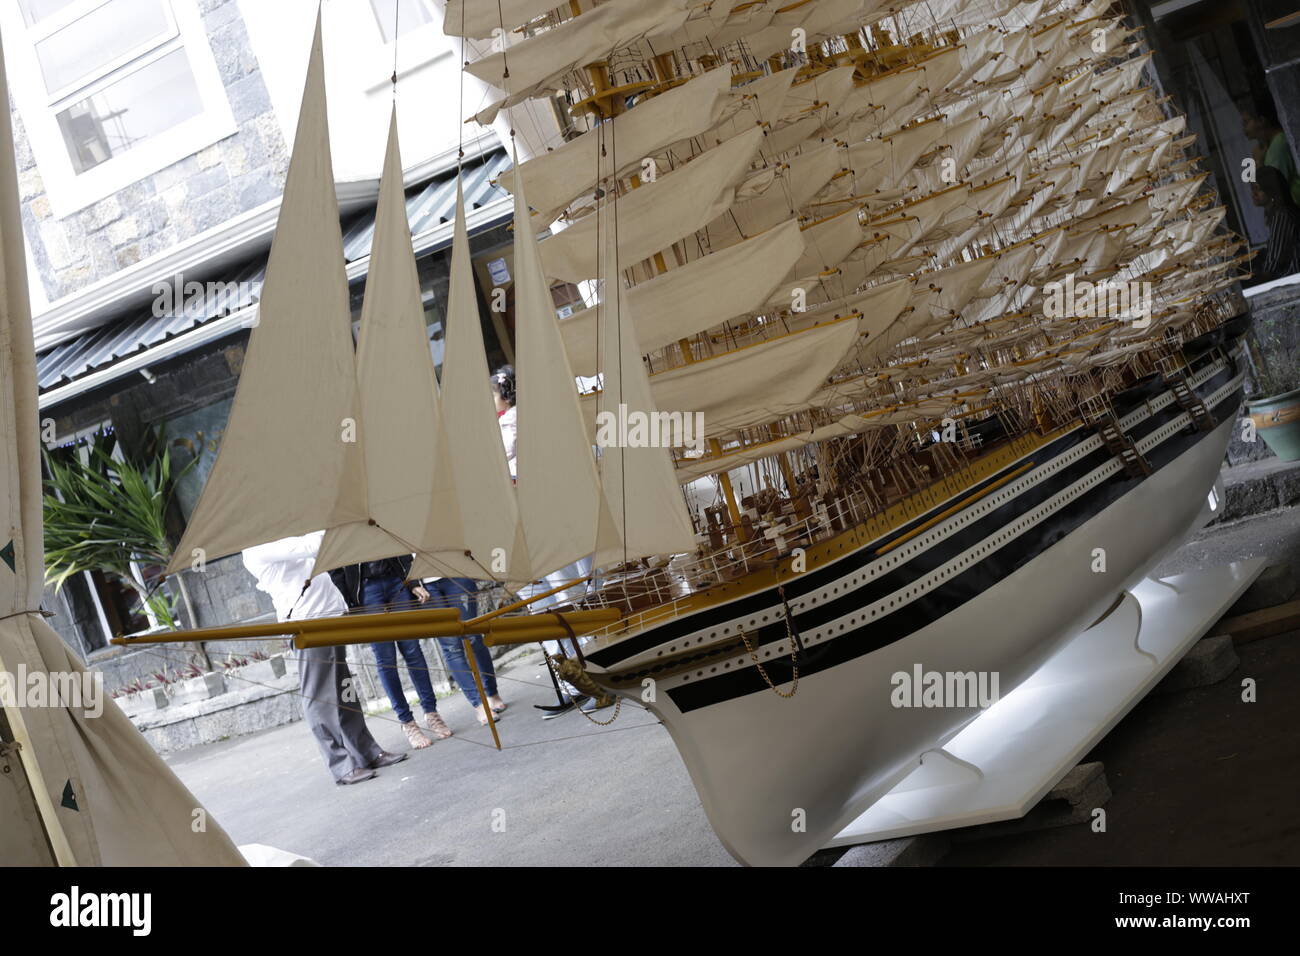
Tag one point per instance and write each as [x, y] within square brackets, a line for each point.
[70, 192]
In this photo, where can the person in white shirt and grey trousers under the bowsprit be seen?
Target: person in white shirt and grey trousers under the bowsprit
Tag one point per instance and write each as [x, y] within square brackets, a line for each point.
[331, 702]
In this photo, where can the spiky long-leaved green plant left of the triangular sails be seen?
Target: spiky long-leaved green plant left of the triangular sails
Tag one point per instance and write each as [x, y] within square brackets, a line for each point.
[106, 511]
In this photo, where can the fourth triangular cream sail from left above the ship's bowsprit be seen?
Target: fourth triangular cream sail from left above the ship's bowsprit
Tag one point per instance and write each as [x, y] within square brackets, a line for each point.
[561, 503]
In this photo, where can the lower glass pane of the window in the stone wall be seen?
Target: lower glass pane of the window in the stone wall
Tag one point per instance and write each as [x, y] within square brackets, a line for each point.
[142, 105]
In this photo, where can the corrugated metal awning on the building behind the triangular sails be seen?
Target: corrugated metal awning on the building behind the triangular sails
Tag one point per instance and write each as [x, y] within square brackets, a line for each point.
[428, 207]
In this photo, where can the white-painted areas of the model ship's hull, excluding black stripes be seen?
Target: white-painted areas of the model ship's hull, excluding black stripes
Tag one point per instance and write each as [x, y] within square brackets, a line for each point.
[779, 776]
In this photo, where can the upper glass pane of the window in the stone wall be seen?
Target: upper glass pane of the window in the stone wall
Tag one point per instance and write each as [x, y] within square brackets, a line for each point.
[103, 36]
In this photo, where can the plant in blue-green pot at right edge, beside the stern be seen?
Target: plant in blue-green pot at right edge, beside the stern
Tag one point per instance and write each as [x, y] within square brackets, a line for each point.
[1275, 404]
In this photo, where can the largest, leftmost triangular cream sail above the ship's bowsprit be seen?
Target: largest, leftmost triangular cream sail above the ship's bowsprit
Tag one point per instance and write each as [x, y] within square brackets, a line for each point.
[292, 440]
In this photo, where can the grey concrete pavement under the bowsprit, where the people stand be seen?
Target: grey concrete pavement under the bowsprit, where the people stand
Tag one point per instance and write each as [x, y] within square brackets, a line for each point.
[561, 793]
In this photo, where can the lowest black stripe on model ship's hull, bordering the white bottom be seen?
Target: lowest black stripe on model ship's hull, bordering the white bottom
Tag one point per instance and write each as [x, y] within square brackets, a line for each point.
[950, 596]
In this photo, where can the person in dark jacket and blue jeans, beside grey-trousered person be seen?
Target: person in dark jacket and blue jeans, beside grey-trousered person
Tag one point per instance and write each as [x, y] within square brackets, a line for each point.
[376, 586]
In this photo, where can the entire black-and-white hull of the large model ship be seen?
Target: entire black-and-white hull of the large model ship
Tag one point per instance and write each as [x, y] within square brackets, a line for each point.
[994, 589]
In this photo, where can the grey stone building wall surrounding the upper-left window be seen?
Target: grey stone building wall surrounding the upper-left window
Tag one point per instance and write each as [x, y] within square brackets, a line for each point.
[185, 200]
